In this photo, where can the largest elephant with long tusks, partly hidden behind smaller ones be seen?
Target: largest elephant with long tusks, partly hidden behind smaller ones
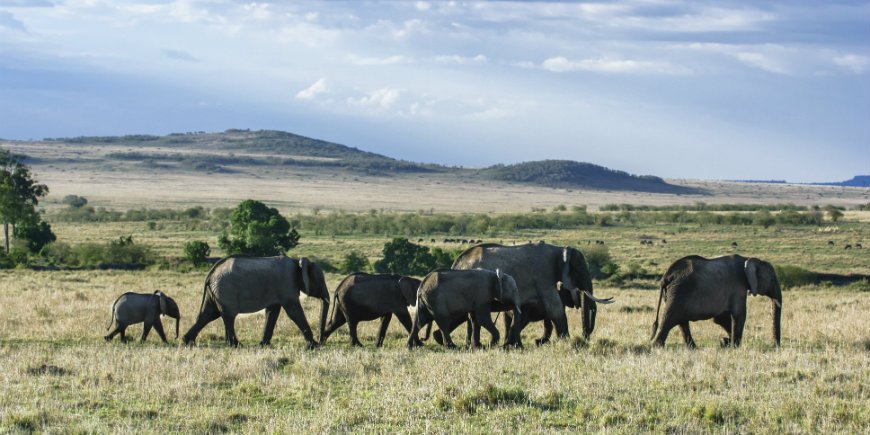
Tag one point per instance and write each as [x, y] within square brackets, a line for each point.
[538, 270]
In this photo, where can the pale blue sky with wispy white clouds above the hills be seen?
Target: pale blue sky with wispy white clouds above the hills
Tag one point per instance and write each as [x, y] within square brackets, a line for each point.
[701, 90]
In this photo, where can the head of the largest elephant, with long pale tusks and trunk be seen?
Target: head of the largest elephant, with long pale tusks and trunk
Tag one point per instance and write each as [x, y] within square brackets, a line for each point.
[576, 276]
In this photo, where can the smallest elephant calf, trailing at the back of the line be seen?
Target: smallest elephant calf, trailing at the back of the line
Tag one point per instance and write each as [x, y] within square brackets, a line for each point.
[132, 308]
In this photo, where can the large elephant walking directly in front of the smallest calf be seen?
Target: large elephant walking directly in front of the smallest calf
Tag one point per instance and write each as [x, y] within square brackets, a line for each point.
[242, 284]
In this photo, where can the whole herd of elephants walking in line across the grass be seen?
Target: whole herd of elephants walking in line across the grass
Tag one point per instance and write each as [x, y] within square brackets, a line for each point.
[528, 283]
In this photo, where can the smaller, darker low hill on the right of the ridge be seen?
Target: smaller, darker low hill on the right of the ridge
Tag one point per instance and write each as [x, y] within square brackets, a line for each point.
[568, 173]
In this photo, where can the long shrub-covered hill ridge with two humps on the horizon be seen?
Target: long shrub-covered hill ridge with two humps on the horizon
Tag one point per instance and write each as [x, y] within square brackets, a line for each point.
[234, 149]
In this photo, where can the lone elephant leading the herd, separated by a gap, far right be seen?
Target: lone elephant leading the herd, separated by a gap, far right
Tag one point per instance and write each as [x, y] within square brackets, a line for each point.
[697, 288]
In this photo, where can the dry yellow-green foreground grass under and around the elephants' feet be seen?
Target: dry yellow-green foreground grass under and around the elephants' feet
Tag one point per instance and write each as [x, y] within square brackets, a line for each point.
[59, 376]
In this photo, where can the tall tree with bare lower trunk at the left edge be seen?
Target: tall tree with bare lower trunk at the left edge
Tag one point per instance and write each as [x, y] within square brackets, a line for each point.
[19, 193]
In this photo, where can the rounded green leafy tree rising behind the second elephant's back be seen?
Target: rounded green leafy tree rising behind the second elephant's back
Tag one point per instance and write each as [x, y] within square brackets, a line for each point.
[256, 229]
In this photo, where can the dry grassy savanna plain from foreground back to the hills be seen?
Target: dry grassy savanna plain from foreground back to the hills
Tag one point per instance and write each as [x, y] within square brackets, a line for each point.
[59, 375]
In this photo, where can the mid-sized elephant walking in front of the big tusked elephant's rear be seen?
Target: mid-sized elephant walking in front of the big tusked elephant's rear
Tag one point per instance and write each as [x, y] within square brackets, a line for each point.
[450, 297]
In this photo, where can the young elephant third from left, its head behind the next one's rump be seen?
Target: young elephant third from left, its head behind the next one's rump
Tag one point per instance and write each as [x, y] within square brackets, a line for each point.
[362, 296]
